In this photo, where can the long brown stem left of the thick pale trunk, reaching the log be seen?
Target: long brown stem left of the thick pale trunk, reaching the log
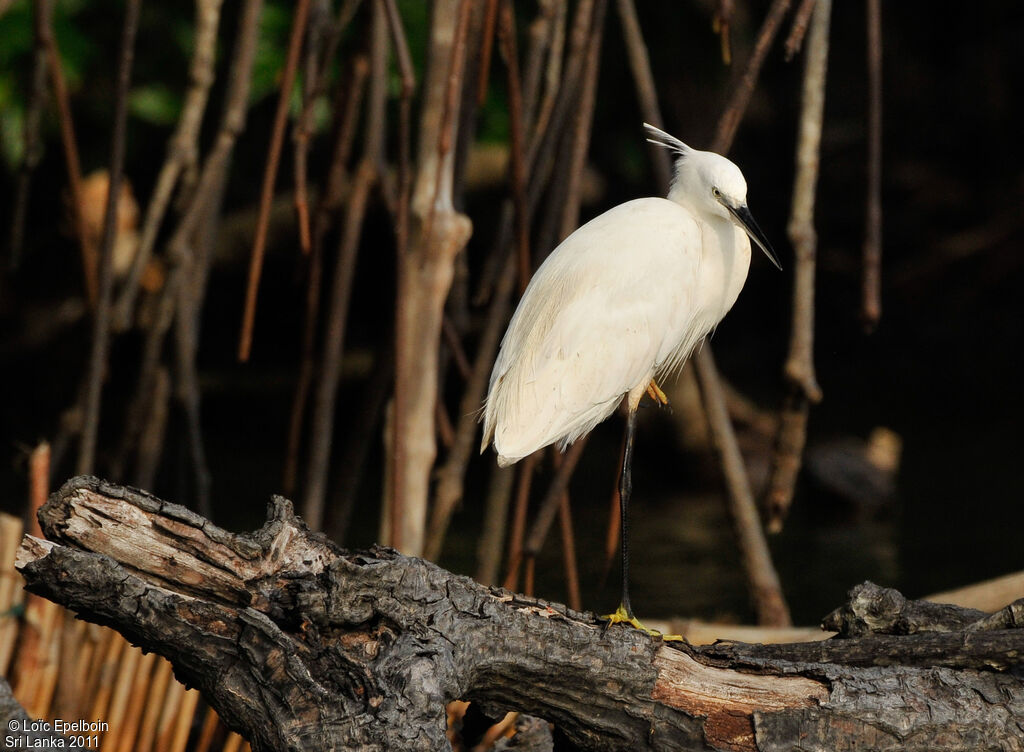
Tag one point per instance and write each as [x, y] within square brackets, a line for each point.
[325, 396]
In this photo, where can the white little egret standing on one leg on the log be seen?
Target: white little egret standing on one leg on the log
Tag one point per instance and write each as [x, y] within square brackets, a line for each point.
[620, 304]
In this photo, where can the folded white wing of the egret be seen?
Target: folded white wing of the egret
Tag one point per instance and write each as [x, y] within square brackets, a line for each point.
[595, 322]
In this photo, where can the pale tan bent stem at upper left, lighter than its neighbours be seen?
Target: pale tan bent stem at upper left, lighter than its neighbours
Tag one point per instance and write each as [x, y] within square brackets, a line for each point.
[182, 151]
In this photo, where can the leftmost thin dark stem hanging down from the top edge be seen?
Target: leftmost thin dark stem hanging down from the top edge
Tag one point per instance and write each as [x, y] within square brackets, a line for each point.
[30, 131]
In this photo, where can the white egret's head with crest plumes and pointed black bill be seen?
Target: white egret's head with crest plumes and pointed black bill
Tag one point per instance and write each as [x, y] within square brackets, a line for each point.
[708, 184]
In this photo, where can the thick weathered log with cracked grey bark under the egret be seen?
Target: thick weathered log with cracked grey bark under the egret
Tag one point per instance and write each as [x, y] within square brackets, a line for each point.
[302, 646]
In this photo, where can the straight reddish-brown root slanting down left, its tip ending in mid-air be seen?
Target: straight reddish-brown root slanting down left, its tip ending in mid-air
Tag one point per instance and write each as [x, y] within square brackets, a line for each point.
[270, 177]
